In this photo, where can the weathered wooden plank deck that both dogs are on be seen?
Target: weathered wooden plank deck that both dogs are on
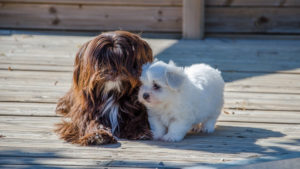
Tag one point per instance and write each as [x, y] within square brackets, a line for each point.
[261, 118]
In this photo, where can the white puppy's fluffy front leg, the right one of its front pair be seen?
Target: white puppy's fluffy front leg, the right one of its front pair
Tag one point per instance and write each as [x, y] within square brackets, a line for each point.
[176, 131]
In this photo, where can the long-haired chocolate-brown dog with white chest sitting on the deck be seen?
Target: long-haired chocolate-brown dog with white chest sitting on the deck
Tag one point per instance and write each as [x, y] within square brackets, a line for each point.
[102, 103]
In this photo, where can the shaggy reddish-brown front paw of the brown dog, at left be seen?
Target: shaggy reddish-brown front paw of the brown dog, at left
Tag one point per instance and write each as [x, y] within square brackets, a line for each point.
[97, 138]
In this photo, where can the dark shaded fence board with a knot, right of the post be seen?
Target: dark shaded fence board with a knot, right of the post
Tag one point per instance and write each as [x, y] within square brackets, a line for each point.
[252, 20]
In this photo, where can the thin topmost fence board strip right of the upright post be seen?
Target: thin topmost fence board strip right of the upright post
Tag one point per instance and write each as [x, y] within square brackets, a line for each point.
[254, 3]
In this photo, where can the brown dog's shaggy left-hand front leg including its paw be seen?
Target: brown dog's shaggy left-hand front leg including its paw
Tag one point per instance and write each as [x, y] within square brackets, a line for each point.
[96, 134]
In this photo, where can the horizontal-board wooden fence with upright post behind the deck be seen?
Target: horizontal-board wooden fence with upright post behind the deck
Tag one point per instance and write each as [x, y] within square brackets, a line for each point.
[221, 16]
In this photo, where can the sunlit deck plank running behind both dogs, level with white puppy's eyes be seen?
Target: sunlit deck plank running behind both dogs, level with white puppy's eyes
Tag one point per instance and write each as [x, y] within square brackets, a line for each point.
[247, 85]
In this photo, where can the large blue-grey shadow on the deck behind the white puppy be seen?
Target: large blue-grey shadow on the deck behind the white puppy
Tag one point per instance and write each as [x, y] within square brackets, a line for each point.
[237, 58]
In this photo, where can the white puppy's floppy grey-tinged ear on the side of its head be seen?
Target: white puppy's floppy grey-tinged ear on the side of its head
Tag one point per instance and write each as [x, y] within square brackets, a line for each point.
[174, 79]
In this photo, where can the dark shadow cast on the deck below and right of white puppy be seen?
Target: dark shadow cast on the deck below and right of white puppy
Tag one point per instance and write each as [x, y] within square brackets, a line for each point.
[228, 140]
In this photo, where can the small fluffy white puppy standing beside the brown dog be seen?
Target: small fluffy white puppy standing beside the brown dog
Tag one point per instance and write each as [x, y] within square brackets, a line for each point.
[179, 99]
